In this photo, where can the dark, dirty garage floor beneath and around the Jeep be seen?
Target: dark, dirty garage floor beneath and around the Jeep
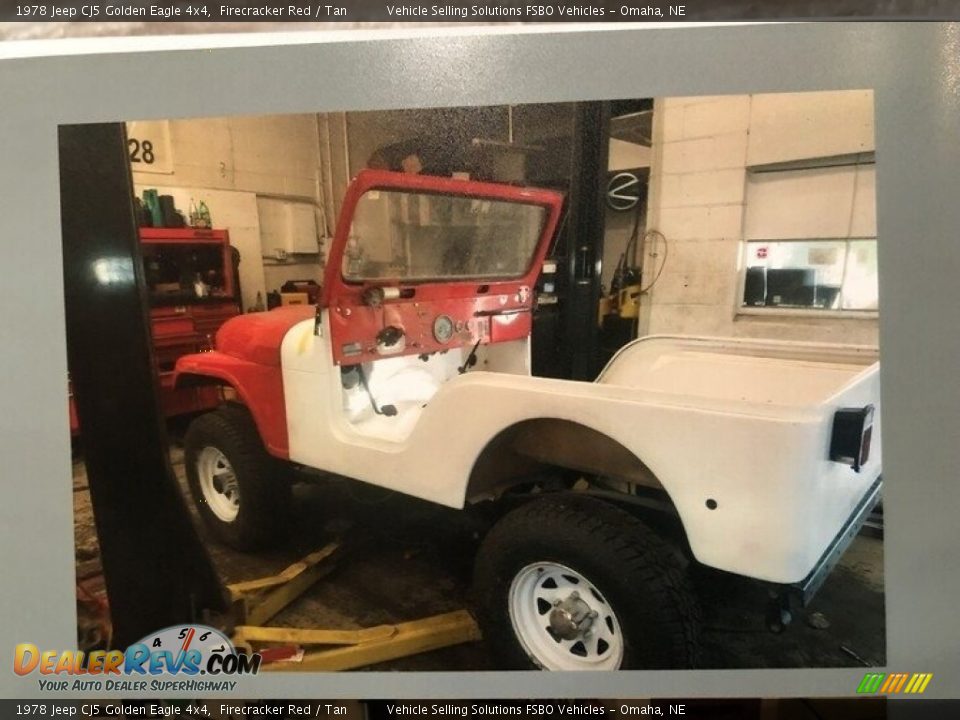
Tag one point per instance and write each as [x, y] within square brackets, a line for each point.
[404, 559]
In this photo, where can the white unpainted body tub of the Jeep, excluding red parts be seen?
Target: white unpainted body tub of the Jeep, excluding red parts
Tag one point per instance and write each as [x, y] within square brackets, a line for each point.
[744, 423]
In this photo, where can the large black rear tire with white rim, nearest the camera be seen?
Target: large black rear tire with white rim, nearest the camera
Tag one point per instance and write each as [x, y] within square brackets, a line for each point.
[572, 583]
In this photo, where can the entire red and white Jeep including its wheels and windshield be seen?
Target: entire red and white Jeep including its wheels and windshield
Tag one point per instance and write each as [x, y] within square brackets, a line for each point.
[413, 374]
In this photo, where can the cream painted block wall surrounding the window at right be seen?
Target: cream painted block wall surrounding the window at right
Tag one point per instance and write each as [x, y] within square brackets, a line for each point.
[702, 147]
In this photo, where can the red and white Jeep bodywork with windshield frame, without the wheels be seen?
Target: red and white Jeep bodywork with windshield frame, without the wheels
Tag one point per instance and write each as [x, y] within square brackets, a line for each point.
[737, 434]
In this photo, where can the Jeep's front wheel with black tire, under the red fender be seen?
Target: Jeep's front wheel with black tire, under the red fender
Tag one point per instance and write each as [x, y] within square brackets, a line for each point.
[241, 492]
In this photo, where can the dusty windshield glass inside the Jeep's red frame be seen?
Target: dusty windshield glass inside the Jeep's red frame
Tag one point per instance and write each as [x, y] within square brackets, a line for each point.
[414, 236]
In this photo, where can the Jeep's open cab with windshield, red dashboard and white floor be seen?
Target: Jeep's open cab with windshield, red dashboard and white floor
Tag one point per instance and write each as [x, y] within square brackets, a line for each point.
[430, 285]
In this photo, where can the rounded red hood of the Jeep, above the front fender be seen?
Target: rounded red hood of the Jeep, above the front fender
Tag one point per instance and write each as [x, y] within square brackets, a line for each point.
[257, 337]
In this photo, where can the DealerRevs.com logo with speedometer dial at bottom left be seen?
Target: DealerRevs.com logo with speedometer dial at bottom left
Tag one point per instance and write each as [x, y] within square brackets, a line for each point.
[187, 651]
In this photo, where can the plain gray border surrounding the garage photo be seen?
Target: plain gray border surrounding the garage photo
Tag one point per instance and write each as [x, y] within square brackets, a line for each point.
[915, 72]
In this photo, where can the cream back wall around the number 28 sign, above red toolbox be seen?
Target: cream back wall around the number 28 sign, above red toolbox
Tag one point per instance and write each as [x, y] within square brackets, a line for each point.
[228, 163]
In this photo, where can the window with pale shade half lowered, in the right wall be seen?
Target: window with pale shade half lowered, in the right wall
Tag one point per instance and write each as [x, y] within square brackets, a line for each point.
[810, 239]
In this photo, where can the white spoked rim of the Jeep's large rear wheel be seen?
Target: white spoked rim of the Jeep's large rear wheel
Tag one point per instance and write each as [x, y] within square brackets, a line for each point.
[539, 589]
